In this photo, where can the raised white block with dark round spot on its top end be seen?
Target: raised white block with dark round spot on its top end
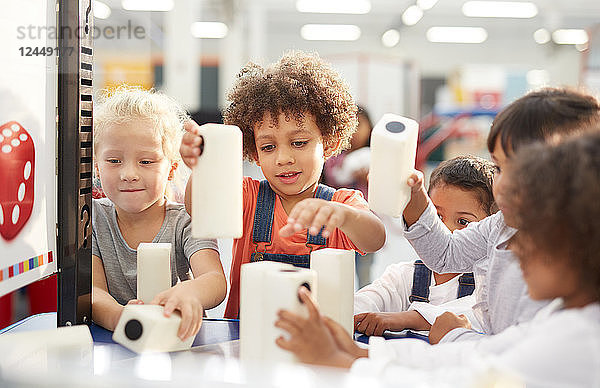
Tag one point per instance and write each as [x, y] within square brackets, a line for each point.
[393, 152]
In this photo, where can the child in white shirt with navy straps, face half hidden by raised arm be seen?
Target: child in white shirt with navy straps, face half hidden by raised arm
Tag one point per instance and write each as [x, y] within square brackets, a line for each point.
[405, 296]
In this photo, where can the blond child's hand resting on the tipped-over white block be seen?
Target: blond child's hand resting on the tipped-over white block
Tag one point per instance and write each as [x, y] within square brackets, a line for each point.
[182, 297]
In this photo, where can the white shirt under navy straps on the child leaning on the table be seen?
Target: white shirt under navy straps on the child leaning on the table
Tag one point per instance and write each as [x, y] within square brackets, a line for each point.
[391, 292]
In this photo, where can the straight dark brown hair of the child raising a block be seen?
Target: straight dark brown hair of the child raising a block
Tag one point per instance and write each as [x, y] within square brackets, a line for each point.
[543, 115]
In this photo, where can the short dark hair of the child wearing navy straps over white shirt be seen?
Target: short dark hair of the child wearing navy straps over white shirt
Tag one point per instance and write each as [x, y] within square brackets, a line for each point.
[468, 173]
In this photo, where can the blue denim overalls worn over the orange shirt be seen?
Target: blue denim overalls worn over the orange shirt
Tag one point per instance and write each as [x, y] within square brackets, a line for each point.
[263, 225]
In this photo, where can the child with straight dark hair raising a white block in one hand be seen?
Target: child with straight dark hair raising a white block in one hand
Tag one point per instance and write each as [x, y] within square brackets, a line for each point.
[501, 297]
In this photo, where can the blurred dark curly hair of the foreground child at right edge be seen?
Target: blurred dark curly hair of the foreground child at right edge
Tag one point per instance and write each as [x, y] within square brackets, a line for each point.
[556, 192]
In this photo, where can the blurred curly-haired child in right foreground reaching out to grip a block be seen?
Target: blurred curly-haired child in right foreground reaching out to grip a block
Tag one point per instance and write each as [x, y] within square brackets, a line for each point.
[551, 195]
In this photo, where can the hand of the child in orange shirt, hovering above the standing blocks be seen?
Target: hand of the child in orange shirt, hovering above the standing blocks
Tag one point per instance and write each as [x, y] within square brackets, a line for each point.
[313, 214]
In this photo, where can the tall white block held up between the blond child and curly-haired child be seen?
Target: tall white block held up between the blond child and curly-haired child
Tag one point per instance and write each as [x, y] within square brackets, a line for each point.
[217, 184]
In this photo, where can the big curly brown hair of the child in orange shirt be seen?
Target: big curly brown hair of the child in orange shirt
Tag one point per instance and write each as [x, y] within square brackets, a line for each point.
[298, 84]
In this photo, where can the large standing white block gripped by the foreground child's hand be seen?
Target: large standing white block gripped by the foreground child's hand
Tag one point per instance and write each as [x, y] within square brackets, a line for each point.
[267, 287]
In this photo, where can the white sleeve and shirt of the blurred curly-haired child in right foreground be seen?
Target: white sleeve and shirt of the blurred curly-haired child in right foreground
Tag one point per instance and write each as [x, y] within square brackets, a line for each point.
[558, 348]
